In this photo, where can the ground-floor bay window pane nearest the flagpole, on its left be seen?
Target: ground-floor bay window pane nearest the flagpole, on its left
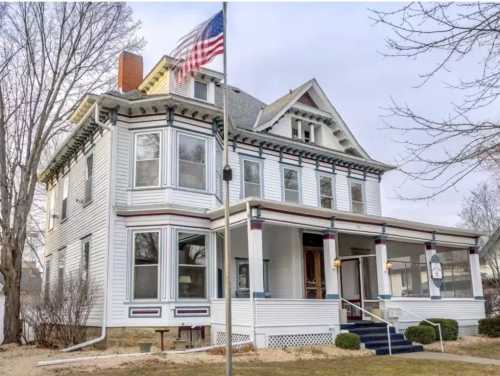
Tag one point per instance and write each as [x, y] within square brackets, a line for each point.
[192, 266]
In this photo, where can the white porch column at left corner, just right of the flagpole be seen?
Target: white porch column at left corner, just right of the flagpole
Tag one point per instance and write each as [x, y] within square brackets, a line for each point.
[255, 259]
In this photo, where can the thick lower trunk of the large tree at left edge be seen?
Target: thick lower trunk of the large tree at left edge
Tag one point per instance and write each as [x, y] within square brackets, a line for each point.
[12, 321]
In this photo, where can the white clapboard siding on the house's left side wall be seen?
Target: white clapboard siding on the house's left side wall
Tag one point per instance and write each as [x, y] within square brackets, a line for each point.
[83, 220]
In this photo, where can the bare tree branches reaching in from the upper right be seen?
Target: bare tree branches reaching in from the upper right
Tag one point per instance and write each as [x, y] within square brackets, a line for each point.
[444, 151]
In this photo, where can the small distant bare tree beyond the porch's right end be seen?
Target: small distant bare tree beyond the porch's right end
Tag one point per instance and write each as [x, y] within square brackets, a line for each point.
[481, 211]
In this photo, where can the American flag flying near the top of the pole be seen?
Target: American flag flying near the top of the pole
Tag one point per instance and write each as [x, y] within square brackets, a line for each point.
[200, 46]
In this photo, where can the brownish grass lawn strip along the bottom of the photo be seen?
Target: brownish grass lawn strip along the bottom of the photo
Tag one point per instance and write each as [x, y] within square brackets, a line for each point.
[369, 366]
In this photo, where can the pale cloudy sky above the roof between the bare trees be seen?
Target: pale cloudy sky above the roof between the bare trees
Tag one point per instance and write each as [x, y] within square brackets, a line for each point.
[275, 47]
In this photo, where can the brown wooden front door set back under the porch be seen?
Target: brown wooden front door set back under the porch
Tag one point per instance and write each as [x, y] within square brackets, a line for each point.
[314, 276]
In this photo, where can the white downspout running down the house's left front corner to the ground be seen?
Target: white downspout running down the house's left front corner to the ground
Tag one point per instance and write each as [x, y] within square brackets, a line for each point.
[102, 337]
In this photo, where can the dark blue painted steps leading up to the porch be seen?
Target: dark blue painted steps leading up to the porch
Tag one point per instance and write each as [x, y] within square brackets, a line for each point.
[374, 336]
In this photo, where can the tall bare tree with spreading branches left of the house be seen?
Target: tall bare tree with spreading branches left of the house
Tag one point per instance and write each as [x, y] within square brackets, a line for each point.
[50, 55]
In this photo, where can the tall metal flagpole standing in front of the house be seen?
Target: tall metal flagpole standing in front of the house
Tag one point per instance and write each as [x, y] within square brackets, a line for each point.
[227, 176]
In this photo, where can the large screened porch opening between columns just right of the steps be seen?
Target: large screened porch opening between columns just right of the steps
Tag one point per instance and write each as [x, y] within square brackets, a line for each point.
[408, 272]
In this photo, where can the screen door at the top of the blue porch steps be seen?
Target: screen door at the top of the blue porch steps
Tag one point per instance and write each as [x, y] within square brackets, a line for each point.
[351, 287]
